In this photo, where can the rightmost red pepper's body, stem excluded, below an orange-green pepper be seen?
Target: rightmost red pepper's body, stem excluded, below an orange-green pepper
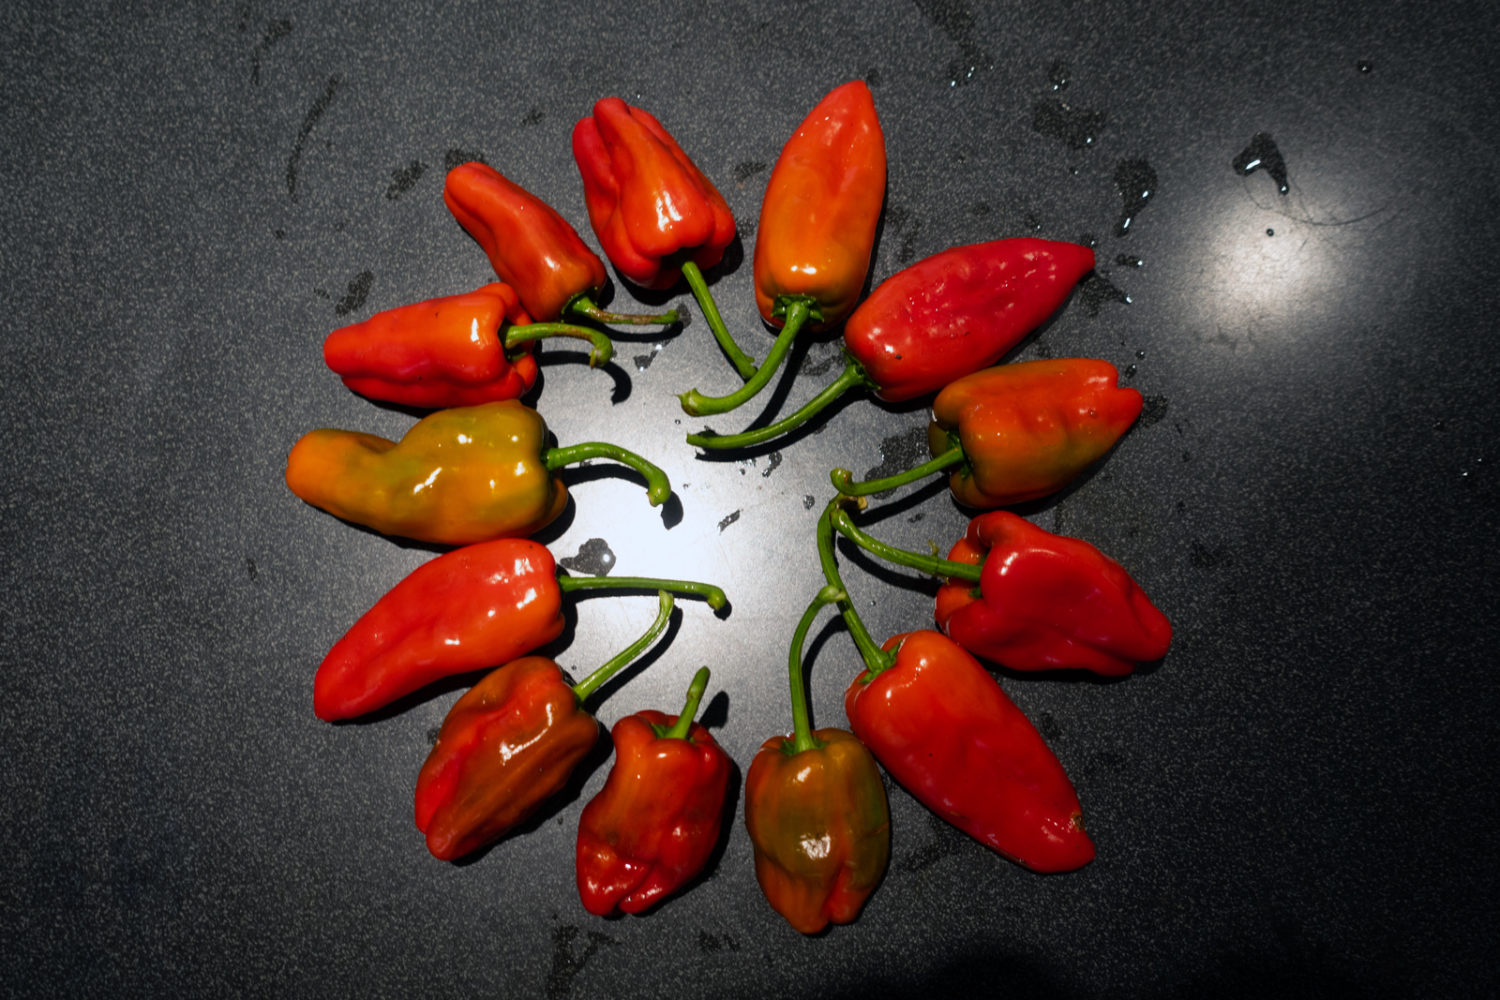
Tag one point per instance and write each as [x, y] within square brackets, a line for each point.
[1048, 602]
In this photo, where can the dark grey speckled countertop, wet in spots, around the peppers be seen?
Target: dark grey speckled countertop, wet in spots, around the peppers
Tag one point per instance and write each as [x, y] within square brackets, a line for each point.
[1298, 801]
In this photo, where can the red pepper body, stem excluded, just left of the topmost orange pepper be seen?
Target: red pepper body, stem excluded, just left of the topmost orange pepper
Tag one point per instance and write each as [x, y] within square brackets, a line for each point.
[647, 200]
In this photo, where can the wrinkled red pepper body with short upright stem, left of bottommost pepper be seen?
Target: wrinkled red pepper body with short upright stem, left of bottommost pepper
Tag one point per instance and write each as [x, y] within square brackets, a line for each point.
[655, 824]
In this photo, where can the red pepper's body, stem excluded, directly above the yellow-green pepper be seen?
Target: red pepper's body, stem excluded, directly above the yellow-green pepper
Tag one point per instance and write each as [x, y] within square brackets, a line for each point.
[439, 353]
